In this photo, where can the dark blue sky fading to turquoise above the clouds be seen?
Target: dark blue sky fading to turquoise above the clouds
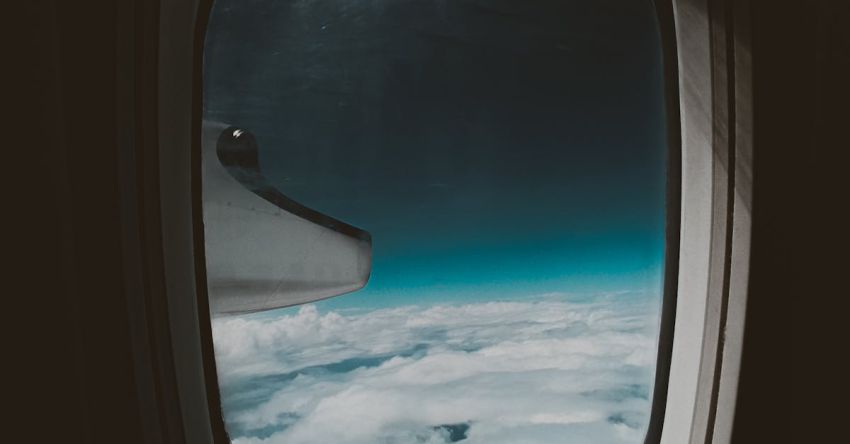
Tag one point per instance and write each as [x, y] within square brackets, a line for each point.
[493, 149]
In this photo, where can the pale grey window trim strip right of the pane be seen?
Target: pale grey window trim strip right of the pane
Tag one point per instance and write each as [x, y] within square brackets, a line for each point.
[699, 387]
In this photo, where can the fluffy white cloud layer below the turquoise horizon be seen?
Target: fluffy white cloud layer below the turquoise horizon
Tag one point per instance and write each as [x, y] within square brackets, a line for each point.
[508, 372]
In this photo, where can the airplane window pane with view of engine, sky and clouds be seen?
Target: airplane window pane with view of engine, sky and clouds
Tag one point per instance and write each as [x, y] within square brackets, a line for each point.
[495, 168]
